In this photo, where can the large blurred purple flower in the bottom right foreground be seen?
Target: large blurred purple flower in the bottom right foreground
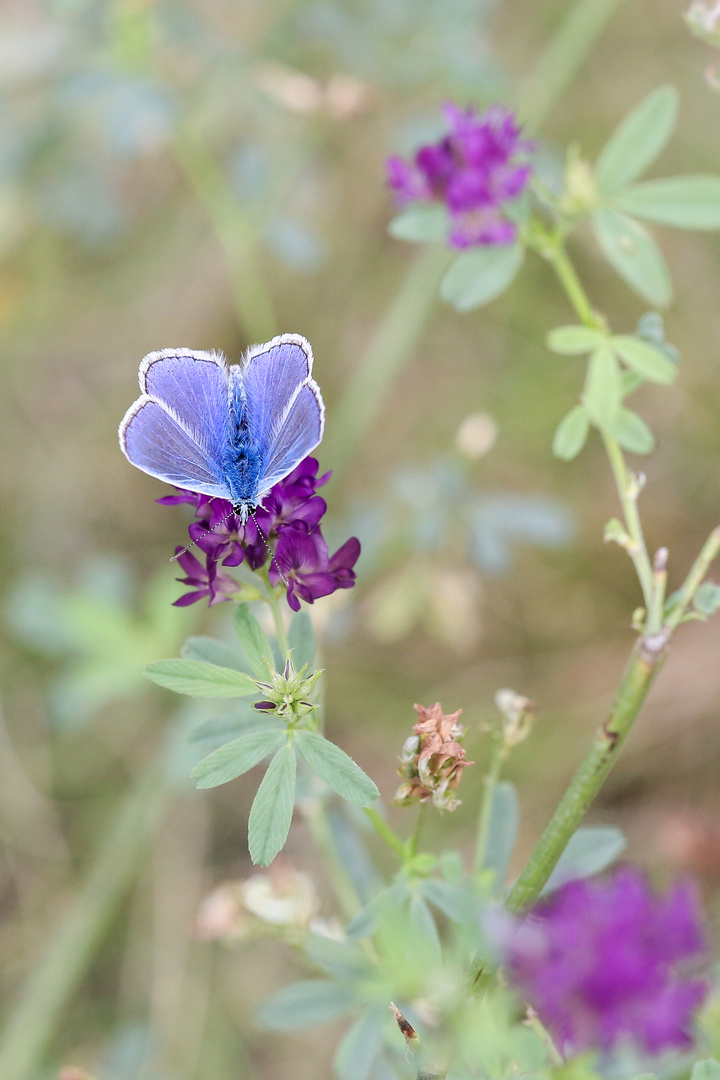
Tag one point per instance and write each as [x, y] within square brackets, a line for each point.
[597, 963]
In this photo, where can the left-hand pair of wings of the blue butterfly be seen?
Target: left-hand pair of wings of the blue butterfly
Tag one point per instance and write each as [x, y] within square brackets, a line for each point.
[178, 430]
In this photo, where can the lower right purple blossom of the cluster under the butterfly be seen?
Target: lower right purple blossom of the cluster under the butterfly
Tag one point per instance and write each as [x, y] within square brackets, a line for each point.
[303, 558]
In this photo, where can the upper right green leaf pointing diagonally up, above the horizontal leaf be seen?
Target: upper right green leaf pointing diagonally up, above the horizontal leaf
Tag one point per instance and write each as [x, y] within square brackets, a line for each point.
[637, 141]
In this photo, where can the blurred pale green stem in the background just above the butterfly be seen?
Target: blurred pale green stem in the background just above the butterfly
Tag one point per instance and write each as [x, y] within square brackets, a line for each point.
[235, 232]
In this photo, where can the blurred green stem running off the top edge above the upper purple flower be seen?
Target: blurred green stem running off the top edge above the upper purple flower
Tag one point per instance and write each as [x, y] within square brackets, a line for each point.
[563, 59]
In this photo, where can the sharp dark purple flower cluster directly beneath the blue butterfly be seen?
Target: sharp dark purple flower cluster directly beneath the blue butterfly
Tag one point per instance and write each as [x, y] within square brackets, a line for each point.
[290, 522]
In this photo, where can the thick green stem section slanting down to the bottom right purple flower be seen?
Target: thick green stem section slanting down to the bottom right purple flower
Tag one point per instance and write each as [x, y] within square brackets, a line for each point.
[643, 668]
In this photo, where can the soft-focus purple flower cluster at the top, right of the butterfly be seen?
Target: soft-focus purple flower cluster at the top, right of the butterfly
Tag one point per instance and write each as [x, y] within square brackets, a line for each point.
[474, 170]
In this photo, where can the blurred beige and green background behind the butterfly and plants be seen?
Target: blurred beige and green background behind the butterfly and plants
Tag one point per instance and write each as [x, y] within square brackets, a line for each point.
[209, 174]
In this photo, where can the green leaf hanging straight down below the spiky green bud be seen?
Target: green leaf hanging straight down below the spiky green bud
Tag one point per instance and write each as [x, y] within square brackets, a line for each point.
[271, 813]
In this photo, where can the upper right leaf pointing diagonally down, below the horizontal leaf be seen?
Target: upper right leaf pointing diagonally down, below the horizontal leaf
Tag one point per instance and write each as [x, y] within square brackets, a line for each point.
[635, 255]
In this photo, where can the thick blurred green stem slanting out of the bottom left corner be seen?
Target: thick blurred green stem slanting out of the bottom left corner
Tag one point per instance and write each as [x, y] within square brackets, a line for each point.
[31, 1027]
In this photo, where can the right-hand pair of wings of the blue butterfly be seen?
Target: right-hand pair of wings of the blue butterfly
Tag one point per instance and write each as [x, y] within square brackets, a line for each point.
[284, 406]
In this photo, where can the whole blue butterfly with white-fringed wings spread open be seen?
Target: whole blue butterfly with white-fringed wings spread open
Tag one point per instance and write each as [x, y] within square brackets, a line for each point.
[232, 433]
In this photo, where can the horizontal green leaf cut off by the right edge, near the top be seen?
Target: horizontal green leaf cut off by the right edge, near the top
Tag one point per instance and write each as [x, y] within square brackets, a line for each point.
[684, 202]
